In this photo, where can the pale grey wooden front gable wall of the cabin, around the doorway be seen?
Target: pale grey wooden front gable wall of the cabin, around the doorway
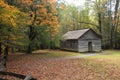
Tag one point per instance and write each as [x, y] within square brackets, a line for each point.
[90, 36]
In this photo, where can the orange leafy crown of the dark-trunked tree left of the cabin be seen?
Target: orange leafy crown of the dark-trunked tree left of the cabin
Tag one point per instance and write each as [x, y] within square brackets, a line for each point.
[44, 11]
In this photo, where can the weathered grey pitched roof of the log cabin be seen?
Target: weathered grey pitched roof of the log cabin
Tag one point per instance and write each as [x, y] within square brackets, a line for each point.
[75, 34]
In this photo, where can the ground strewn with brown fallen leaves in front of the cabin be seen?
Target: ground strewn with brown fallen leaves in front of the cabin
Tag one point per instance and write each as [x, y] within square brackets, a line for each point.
[46, 68]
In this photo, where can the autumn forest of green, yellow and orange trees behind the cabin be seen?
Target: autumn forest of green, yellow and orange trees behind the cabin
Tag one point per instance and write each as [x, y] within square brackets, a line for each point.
[27, 25]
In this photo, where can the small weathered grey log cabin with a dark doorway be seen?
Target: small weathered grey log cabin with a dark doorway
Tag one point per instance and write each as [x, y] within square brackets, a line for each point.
[84, 40]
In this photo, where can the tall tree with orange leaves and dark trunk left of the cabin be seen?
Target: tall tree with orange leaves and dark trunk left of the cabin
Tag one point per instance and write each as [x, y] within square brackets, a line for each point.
[42, 13]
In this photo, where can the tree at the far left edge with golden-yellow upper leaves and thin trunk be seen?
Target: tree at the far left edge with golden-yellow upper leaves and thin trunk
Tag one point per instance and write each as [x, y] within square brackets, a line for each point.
[9, 21]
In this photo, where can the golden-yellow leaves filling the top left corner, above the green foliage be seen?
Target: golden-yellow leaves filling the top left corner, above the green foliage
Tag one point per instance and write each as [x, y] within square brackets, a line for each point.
[9, 14]
